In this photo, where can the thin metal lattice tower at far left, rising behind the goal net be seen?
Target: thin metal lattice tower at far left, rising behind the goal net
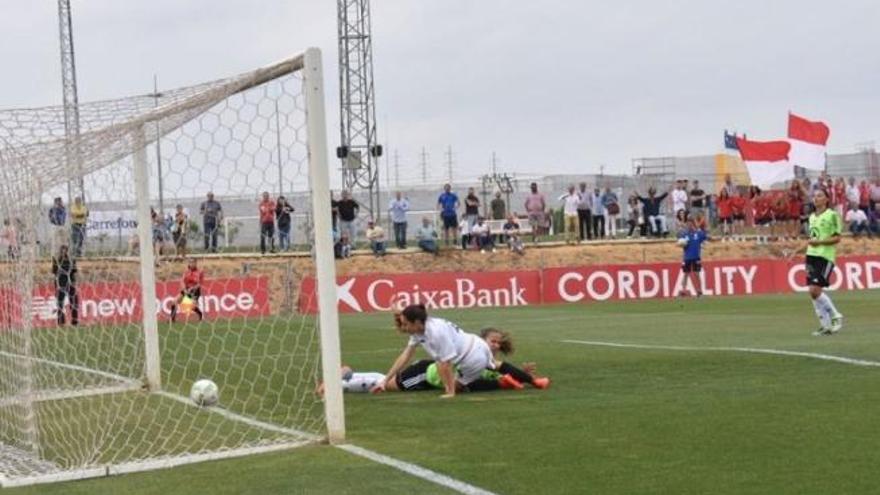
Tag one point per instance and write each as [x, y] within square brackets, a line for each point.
[71, 100]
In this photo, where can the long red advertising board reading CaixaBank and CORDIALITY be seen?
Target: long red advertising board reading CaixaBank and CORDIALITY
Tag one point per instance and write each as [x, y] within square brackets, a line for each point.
[377, 292]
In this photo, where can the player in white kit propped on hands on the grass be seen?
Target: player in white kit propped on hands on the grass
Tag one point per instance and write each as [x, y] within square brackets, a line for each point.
[453, 349]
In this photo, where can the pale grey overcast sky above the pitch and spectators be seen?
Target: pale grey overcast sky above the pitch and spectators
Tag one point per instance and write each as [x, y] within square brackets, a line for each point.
[552, 86]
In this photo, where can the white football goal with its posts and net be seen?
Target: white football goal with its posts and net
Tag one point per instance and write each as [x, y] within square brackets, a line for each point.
[110, 231]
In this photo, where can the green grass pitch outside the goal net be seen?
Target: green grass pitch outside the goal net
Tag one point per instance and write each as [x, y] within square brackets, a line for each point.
[616, 420]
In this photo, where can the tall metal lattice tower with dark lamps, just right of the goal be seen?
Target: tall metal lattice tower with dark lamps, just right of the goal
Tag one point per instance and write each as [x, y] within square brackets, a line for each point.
[359, 149]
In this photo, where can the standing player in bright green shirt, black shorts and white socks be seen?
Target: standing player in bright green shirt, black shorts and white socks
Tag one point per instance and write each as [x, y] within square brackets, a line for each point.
[825, 229]
